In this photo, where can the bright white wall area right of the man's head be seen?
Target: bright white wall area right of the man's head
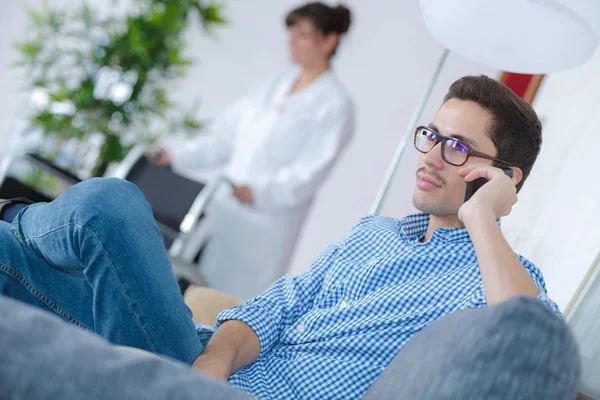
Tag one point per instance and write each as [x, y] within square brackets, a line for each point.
[557, 220]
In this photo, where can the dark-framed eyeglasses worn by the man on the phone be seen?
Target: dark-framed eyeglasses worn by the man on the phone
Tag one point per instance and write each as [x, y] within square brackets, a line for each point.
[454, 151]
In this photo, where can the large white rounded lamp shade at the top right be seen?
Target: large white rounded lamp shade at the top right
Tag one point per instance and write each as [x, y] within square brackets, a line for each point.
[525, 36]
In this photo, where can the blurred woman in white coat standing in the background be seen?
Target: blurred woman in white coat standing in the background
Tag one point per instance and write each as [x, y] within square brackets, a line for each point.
[278, 144]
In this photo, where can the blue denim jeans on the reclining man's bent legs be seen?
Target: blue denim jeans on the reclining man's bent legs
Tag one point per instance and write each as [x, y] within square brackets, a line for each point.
[96, 258]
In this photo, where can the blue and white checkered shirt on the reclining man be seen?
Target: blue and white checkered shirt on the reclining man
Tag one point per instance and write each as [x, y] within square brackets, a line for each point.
[330, 332]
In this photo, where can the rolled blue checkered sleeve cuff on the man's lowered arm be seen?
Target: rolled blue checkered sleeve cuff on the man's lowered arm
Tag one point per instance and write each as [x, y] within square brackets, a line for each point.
[257, 319]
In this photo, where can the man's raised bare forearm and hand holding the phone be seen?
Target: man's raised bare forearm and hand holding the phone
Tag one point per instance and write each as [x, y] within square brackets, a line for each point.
[502, 273]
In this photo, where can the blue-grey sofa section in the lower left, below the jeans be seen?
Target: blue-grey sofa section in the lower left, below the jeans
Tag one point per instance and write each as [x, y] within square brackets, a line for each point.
[44, 358]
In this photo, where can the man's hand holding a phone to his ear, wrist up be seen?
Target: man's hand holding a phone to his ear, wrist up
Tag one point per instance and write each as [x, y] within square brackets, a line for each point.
[494, 199]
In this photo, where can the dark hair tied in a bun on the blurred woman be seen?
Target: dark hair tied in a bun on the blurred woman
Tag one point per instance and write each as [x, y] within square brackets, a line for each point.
[325, 18]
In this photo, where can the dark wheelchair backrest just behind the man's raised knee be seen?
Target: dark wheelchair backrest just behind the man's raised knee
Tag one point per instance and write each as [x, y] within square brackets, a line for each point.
[170, 195]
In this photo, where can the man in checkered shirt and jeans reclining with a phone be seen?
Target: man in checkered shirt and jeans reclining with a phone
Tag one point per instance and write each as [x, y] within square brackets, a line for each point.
[94, 257]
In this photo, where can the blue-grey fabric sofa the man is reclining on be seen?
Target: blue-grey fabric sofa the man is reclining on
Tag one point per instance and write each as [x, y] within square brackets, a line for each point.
[516, 350]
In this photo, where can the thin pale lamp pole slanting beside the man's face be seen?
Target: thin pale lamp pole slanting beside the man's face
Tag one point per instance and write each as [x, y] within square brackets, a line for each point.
[389, 176]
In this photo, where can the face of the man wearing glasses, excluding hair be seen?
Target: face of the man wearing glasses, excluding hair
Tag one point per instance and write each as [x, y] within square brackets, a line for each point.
[440, 191]
